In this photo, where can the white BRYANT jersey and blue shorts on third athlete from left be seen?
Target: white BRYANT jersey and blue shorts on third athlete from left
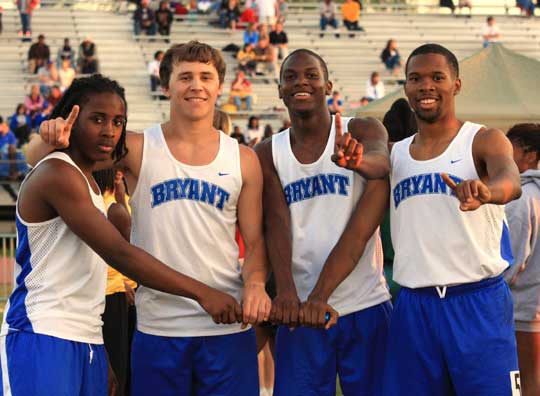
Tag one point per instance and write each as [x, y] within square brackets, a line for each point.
[322, 197]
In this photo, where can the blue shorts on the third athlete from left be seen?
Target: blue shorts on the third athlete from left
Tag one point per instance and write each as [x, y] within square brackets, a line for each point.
[308, 359]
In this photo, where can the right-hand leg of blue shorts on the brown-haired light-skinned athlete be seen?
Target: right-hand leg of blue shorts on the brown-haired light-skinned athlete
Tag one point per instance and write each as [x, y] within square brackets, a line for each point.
[226, 365]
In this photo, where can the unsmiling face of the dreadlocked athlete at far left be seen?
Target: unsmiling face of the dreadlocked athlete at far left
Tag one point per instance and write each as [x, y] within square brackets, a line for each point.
[98, 127]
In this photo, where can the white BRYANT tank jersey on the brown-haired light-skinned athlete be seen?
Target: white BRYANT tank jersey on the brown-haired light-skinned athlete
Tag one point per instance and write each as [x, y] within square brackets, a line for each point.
[186, 217]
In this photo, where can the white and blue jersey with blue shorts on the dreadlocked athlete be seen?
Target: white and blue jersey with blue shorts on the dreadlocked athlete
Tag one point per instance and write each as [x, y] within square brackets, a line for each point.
[51, 341]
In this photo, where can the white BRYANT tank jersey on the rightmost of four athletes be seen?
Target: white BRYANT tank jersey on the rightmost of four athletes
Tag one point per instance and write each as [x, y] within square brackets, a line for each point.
[435, 243]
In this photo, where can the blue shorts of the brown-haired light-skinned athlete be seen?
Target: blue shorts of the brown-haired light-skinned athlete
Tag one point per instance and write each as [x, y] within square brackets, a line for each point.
[223, 365]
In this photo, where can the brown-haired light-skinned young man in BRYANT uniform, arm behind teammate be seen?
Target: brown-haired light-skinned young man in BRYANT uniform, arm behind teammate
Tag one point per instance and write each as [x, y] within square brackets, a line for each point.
[190, 184]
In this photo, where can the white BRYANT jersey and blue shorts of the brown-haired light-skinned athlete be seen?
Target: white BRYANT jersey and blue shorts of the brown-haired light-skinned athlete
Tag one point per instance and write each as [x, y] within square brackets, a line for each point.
[186, 217]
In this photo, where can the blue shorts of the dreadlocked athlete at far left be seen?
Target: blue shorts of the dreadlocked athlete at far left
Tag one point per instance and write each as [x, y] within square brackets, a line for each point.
[37, 364]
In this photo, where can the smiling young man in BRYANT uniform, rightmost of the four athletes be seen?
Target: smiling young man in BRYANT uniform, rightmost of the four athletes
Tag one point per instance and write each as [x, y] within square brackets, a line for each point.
[452, 329]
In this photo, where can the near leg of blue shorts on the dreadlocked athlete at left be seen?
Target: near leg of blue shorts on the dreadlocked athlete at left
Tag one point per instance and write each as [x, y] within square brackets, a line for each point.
[36, 364]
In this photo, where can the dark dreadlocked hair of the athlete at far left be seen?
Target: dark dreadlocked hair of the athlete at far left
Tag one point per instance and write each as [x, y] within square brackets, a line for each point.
[78, 94]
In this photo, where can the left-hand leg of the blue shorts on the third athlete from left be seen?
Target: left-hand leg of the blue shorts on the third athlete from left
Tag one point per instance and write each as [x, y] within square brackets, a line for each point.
[305, 363]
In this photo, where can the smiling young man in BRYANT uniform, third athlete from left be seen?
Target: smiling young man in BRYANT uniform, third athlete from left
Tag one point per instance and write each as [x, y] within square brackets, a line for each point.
[321, 218]
